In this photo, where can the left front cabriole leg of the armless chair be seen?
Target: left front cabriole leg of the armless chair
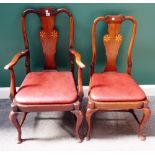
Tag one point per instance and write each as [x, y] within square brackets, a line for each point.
[89, 114]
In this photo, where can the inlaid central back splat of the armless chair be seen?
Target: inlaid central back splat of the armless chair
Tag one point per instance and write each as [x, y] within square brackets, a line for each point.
[112, 41]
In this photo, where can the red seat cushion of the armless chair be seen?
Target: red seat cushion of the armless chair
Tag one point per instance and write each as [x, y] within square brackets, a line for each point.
[114, 86]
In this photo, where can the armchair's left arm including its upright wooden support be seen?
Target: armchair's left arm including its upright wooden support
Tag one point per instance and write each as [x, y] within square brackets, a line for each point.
[12, 74]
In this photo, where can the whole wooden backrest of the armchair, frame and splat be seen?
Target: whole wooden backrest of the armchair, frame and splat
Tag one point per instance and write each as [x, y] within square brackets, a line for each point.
[48, 35]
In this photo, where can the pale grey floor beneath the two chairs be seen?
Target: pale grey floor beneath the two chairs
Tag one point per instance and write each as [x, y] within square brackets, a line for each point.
[54, 131]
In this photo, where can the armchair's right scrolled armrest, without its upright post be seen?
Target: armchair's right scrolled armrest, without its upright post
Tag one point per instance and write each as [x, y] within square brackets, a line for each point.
[77, 58]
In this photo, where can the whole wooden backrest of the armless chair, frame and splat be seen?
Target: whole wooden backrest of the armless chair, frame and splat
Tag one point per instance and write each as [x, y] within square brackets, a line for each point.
[112, 41]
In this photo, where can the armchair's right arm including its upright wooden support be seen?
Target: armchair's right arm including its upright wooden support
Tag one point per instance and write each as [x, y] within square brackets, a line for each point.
[80, 67]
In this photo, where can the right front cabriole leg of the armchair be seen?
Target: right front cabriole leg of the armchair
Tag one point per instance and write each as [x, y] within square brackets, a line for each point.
[79, 118]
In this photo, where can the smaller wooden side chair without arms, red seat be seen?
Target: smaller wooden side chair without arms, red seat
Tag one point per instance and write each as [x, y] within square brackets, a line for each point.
[112, 90]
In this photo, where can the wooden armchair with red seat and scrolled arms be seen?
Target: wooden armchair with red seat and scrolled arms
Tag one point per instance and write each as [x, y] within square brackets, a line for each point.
[48, 90]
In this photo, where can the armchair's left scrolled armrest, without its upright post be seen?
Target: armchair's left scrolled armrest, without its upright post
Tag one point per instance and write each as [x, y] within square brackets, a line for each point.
[15, 59]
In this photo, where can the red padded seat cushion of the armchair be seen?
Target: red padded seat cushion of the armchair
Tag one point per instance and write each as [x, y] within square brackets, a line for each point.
[47, 88]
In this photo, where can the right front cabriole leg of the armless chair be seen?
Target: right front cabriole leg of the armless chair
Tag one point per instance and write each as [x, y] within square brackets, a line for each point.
[146, 114]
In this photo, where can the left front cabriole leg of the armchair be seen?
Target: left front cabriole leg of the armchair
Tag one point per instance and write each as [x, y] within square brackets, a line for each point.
[14, 120]
